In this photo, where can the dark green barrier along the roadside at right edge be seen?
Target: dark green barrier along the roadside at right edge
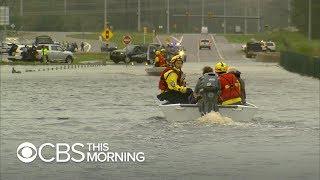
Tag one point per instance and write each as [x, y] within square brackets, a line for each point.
[301, 64]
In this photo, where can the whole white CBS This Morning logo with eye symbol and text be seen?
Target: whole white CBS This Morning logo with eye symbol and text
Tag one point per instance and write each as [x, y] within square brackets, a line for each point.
[77, 152]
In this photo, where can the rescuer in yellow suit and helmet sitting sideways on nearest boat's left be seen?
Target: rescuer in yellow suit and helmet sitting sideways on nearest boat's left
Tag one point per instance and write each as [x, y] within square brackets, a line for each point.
[172, 83]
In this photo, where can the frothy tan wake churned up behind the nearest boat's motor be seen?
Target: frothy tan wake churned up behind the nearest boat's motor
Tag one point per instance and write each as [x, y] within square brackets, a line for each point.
[215, 118]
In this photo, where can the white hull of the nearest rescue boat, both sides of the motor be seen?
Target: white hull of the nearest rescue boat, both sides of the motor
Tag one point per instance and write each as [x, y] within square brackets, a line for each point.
[190, 112]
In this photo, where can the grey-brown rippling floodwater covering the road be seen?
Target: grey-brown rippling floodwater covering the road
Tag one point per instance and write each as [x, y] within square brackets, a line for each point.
[116, 104]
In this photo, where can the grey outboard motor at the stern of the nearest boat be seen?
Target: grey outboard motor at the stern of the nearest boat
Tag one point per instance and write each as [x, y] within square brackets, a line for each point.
[209, 91]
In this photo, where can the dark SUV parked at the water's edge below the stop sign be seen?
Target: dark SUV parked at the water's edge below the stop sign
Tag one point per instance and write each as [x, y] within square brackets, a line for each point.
[137, 53]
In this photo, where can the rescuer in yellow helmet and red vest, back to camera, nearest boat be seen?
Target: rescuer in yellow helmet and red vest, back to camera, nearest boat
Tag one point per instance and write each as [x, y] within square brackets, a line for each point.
[230, 86]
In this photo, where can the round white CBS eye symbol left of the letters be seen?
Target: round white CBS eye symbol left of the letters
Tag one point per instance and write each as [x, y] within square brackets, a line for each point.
[26, 152]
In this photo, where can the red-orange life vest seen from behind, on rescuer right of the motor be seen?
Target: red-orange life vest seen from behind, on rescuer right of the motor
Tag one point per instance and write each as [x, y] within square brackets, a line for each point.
[230, 87]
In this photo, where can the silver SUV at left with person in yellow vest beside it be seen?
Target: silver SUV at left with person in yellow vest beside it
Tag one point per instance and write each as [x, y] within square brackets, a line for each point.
[56, 53]
